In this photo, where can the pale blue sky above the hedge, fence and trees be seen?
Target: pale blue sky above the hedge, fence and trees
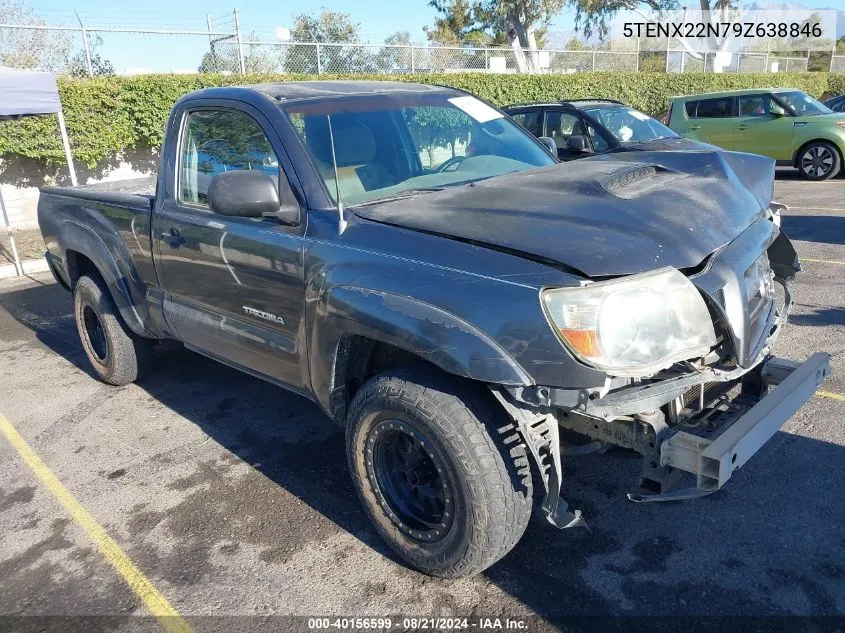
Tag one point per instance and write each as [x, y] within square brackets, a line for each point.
[142, 53]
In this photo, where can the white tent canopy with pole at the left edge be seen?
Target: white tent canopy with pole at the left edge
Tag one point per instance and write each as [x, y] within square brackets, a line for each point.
[24, 93]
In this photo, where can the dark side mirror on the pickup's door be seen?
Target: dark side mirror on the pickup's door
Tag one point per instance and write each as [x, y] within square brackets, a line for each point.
[250, 194]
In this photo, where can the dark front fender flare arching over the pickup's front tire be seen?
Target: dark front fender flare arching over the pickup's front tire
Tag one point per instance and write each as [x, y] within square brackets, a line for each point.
[437, 336]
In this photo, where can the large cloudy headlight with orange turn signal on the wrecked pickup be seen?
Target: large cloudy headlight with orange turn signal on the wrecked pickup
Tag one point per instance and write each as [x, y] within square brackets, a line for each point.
[635, 325]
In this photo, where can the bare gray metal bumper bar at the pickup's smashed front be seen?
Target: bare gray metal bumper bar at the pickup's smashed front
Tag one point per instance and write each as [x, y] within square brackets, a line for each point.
[713, 460]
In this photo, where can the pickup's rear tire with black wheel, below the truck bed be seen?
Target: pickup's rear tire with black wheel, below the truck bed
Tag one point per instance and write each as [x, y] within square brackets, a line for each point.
[118, 355]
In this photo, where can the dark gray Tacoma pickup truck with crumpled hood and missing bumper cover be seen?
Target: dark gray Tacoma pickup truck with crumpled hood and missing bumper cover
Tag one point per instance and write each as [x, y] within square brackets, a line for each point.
[469, 309]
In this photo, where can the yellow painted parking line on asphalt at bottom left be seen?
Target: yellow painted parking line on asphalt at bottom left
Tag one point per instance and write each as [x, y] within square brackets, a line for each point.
[157, 604]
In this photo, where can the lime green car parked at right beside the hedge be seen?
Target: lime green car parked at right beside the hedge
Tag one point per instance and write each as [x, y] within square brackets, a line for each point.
[782, 123]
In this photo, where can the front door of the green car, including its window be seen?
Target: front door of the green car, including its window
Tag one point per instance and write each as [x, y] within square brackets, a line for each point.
[763, 127]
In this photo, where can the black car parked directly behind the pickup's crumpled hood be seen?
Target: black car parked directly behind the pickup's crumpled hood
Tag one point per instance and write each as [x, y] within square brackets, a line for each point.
[585, 127]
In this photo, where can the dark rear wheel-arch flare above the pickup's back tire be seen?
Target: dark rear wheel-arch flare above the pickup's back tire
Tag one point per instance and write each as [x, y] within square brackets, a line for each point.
[114, 265]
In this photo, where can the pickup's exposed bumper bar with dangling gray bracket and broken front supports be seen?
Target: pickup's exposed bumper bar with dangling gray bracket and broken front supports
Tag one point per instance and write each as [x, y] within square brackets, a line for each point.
[710, 444]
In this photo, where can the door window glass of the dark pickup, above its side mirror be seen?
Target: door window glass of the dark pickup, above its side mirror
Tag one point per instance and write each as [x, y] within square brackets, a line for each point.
[214, 141]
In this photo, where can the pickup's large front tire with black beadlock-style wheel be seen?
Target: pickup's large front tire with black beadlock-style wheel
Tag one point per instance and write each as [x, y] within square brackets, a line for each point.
[439, 470]
